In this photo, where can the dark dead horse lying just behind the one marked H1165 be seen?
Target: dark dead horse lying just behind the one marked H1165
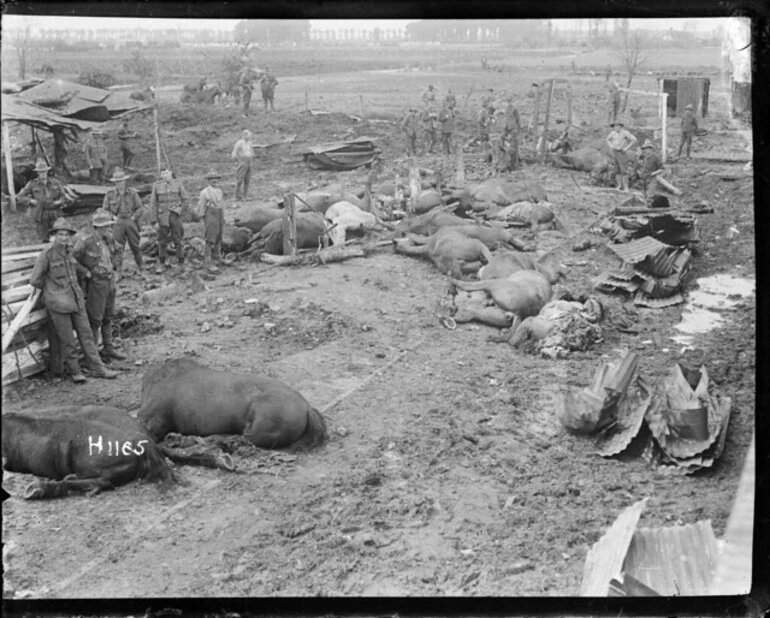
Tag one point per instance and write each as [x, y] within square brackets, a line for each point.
[186, 397]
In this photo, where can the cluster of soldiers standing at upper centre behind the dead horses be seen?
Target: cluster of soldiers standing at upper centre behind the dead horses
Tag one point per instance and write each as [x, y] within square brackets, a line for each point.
[504, 149]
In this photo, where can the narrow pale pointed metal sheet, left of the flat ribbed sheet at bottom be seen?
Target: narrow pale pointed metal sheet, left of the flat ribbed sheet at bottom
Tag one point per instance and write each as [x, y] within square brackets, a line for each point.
[604, 560]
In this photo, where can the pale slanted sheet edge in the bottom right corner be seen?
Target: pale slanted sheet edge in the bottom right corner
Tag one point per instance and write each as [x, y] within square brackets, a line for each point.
[734, 563]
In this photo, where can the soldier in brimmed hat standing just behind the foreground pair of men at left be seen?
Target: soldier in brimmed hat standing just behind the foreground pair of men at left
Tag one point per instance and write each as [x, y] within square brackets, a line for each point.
[125, 204]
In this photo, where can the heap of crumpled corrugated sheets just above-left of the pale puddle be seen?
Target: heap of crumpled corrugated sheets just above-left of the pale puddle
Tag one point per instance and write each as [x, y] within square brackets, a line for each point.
[652, 271]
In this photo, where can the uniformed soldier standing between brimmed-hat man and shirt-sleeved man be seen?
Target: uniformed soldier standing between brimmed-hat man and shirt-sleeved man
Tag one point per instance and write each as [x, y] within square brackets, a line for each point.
[167, 204]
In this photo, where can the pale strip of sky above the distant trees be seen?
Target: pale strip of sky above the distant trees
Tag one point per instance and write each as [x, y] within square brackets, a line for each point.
[101, 23]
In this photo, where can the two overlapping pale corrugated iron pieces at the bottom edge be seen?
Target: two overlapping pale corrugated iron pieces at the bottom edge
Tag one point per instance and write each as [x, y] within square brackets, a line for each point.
[669, 561]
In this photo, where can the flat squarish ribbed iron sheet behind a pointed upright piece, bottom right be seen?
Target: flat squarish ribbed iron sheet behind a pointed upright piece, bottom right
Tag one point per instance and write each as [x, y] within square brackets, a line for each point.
[674, 561]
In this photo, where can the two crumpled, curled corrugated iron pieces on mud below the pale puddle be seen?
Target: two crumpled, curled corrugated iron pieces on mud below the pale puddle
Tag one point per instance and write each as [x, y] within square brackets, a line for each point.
[687, 424]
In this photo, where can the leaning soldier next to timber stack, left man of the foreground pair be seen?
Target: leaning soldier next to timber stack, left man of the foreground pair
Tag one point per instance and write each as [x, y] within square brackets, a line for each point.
[56, 273]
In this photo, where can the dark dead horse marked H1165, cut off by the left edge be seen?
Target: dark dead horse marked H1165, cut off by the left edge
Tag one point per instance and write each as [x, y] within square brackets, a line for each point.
[81, 448]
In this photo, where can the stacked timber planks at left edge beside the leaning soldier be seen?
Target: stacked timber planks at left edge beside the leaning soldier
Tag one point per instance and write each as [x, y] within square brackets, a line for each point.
[24, 317]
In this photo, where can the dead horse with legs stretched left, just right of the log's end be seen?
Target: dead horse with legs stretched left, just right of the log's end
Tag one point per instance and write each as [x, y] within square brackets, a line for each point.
[450, 251]
